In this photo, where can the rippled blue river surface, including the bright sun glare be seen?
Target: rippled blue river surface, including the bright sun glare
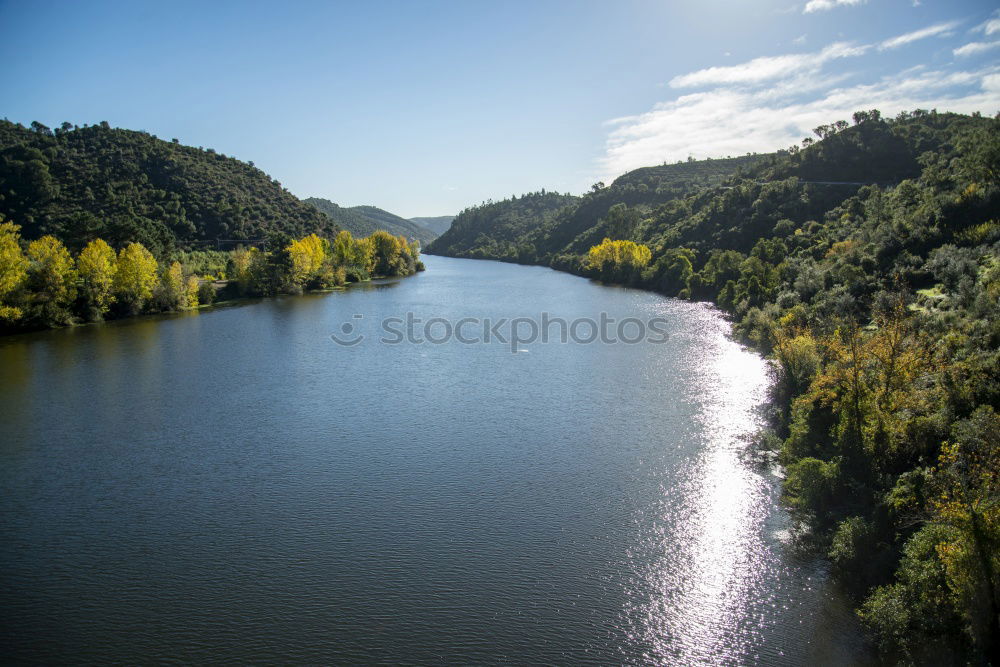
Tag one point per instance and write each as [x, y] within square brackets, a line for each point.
[232, 486]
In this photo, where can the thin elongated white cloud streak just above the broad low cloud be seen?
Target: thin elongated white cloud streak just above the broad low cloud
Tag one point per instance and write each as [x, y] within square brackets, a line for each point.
[767, 68]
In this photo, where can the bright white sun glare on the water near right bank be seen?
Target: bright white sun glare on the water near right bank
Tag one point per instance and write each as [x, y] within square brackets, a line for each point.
[708, 556]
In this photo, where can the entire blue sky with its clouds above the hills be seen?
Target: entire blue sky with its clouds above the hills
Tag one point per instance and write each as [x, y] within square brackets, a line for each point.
[424, 108]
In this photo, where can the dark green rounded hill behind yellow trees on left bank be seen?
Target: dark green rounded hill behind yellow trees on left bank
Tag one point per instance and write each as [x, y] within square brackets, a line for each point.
[81, 183]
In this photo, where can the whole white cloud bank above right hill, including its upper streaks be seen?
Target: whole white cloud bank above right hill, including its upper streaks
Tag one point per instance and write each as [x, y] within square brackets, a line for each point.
[773, 102]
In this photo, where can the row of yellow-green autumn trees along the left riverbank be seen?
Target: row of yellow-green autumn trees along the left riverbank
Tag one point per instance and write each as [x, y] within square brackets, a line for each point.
[43, 285]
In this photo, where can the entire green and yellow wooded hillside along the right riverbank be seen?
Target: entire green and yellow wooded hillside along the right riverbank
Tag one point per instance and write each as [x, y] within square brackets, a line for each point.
[867, 263]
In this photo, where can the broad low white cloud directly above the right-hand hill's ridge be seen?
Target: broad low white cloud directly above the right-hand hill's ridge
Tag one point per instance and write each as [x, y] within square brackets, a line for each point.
[733, 120]
